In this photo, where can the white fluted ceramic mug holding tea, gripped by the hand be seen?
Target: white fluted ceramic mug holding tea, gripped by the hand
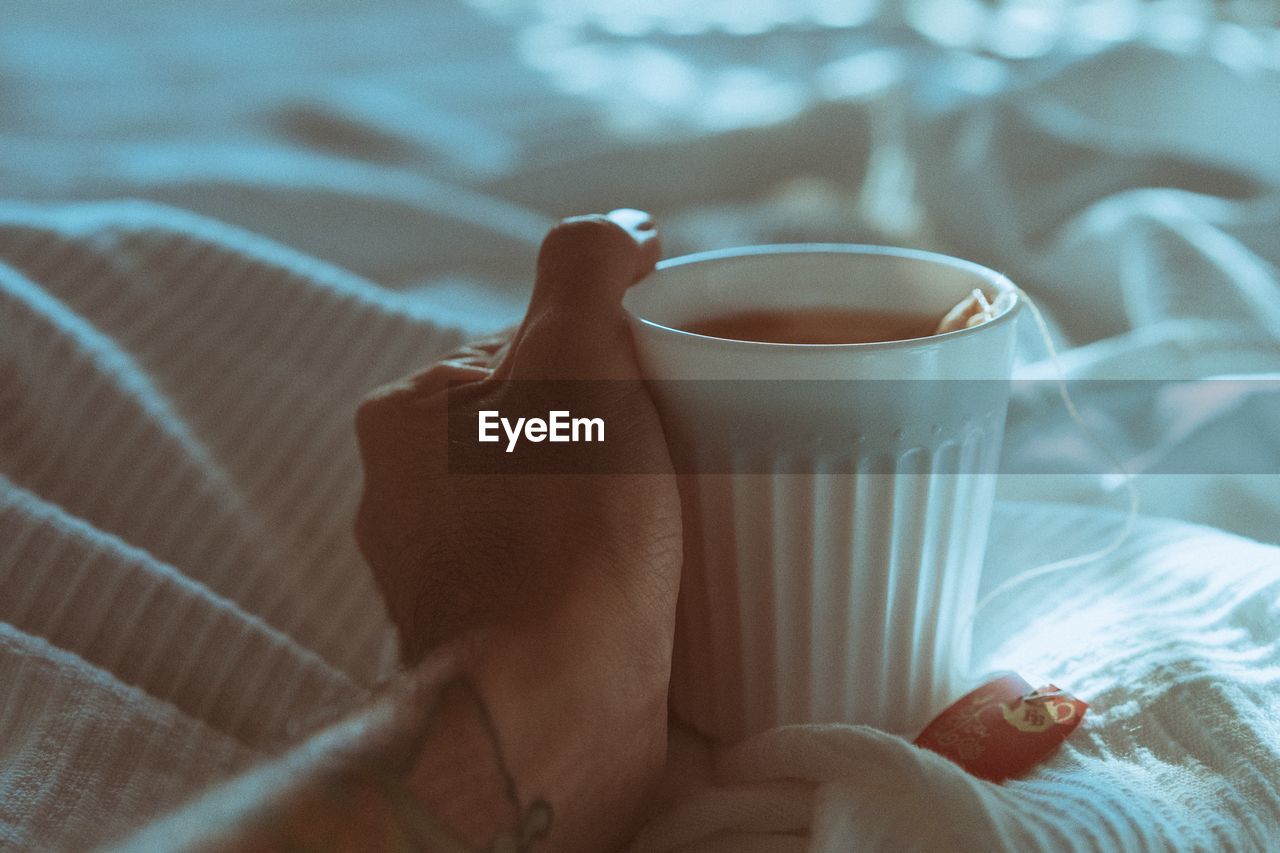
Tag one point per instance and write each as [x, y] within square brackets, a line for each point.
[839, 594]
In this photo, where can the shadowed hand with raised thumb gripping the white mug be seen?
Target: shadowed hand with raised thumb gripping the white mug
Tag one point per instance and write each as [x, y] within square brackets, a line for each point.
[570, 578]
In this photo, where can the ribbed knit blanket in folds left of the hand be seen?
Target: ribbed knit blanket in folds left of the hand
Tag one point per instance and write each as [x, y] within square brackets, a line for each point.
[180, 589]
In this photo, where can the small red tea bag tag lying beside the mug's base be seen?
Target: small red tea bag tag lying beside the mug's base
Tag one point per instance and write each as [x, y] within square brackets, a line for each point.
[1004, 728]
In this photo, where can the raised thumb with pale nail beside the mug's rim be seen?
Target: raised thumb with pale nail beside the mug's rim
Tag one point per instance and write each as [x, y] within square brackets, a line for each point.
[575, 327]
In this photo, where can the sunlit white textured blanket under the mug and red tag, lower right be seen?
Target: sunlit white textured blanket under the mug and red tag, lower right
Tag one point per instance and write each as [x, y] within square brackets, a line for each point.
[1173, 641]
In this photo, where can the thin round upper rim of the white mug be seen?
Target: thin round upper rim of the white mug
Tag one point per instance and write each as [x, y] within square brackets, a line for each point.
[996, 280]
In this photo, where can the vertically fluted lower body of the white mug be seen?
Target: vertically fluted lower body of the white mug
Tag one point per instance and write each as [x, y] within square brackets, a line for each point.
[833, 597]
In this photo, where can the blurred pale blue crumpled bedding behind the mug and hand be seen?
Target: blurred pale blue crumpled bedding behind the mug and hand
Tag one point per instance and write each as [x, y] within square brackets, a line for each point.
[1117, 158]
